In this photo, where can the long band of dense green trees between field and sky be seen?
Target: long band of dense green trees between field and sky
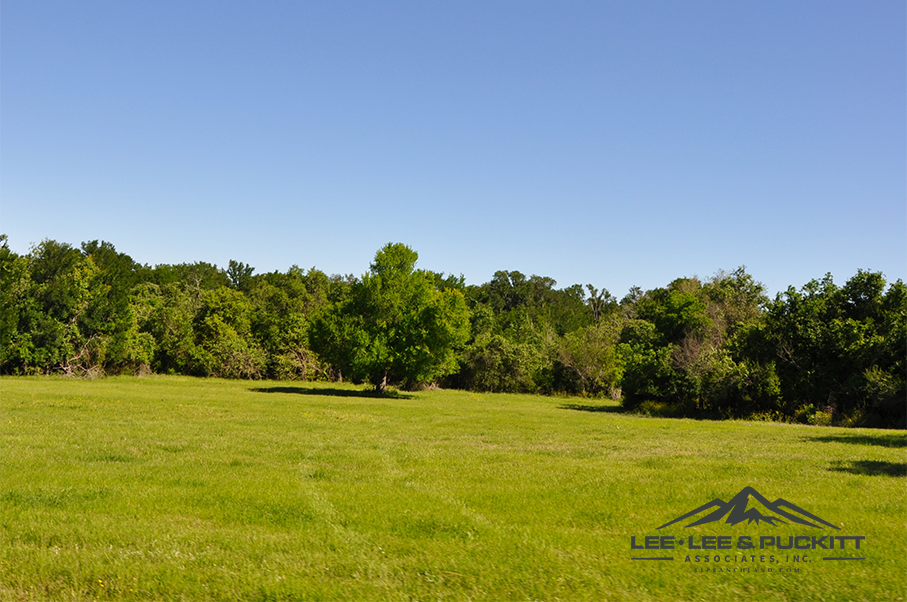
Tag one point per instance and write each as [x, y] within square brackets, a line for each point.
[821, 354]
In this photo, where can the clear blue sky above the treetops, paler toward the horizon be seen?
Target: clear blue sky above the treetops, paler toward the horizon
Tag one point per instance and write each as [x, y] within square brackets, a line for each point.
[615, 143]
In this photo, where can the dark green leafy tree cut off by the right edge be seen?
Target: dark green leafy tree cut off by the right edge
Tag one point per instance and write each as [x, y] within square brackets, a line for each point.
[841, 350]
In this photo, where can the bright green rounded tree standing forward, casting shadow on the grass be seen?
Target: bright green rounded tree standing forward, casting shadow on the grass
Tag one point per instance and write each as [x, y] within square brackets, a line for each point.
[395, 326]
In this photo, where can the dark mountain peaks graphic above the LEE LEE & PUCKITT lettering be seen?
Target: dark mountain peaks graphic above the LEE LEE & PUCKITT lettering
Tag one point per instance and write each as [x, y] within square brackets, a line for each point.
[745, 507]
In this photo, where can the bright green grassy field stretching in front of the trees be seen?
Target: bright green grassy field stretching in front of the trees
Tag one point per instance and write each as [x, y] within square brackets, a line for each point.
[172, 488]
